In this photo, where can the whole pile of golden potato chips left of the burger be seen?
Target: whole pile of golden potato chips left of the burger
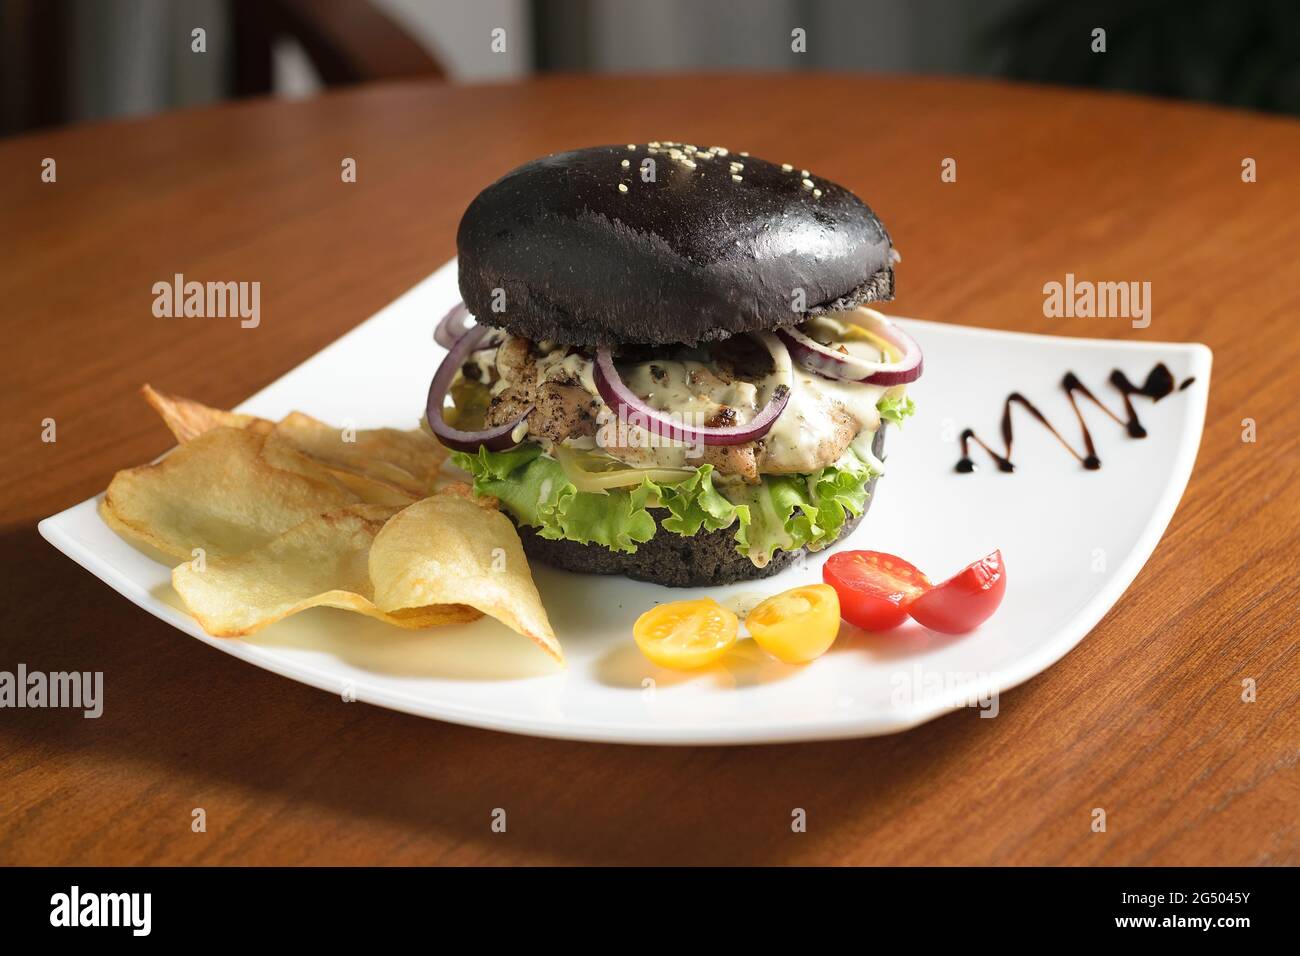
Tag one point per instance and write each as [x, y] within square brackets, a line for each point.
[272, 518]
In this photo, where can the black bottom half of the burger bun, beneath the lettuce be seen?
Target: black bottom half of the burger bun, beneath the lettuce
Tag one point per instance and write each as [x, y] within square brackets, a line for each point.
[704, 560]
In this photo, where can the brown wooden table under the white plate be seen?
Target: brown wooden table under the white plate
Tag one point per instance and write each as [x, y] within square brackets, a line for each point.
[1145, 719]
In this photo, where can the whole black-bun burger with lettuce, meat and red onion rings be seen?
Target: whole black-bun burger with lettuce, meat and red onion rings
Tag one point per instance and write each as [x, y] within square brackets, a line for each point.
[664, 366]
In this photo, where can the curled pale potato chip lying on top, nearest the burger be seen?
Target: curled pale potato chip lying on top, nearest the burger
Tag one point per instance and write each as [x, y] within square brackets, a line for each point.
[448, 550]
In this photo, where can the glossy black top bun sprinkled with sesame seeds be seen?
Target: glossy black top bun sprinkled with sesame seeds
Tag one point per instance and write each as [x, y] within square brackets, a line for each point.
[584, 252]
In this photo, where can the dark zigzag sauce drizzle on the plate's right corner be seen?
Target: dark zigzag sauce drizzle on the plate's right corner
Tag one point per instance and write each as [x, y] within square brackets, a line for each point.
[1159, 384]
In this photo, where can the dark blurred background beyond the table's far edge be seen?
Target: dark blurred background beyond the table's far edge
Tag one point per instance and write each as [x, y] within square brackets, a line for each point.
[66, 62]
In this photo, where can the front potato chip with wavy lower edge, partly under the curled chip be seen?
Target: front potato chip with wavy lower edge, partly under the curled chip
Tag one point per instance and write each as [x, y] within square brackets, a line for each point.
[319, 563]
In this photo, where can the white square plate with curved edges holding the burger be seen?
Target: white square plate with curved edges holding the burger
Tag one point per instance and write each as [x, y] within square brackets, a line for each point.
[1073, 540]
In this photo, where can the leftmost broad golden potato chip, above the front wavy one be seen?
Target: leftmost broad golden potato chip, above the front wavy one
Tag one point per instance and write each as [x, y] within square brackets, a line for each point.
[222, 494]
